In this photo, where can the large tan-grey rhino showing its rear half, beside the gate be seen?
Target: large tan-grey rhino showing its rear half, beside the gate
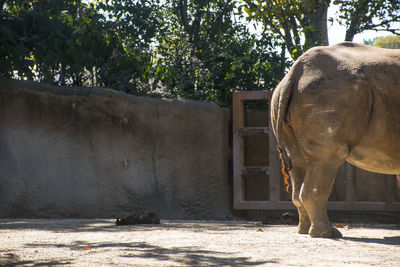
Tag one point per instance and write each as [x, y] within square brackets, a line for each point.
[338, 103]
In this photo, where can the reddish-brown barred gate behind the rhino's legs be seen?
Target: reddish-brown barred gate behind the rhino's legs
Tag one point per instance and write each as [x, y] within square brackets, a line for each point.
[274, 189]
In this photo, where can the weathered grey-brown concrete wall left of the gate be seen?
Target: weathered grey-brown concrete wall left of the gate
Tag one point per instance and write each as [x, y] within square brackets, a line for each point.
[80, 152]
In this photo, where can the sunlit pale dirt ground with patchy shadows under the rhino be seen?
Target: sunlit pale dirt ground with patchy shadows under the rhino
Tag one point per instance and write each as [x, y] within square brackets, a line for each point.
[98, 242]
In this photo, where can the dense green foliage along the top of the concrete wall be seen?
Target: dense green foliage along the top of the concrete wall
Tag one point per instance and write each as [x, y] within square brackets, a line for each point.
[196, 49]
